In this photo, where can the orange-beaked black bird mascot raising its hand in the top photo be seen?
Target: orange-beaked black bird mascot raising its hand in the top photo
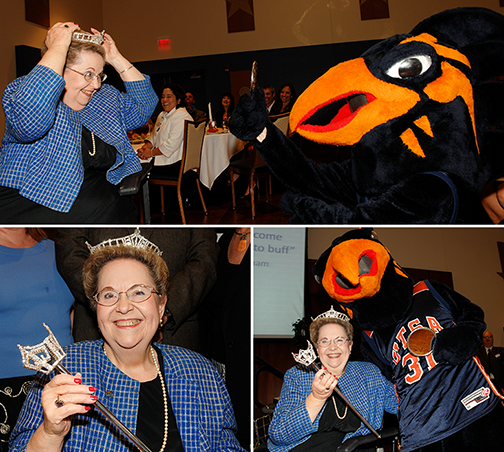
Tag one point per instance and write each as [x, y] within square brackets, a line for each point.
[422, 115]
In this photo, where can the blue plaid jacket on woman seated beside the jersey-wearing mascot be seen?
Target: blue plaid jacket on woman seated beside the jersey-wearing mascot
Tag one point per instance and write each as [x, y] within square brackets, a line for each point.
[362, 383]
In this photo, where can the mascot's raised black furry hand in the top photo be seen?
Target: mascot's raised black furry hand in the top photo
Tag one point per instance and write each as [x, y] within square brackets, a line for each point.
[250, 116]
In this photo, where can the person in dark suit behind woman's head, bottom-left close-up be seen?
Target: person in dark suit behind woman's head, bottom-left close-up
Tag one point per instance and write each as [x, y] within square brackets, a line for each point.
[191, 255]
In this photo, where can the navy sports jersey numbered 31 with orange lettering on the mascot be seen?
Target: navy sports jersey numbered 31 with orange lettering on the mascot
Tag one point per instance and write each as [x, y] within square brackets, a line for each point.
[435, 399]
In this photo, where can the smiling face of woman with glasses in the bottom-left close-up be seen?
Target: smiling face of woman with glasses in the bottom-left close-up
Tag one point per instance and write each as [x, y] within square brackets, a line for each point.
[127, 324]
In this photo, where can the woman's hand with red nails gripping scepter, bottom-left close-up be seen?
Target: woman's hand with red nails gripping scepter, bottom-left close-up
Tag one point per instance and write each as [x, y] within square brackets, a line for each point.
[63, 397]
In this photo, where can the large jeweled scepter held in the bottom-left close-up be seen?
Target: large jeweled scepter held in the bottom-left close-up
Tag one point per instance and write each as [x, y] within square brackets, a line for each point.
[47, 356]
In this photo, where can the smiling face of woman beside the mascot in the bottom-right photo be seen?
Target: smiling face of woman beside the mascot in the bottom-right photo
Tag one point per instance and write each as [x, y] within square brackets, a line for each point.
[334, 356]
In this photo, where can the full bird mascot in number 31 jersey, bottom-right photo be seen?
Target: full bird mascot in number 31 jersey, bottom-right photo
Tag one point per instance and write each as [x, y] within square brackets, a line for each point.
[425, 338]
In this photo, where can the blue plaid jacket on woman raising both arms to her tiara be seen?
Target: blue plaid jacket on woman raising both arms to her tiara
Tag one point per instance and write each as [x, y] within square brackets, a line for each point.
[41, 149]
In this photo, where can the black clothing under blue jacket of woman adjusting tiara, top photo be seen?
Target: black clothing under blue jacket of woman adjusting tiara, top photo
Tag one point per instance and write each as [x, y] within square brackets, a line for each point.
[98, 200]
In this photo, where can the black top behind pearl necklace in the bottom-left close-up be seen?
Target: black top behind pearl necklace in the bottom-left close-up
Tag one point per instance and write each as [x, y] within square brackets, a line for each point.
[150, 421]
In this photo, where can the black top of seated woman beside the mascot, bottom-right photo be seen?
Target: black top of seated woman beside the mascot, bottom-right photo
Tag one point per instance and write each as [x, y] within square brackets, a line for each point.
[331, 430]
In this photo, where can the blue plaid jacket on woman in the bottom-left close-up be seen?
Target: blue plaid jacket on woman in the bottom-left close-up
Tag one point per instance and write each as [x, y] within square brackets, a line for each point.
[199, 397]
